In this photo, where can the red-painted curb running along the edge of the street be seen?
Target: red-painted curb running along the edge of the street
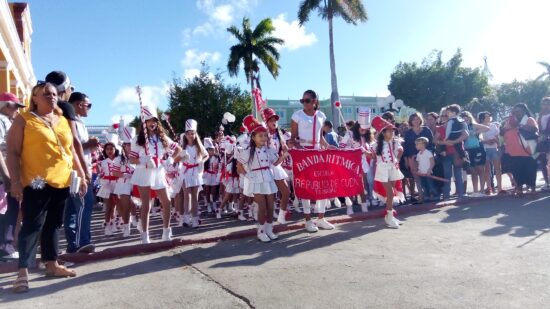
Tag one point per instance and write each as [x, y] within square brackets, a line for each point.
[125, 251]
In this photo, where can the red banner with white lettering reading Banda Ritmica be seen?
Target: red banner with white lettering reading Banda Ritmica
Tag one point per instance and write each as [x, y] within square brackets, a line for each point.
[326, 174]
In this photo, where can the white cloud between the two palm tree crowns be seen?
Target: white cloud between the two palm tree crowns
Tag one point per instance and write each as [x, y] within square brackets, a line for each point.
[295, 36]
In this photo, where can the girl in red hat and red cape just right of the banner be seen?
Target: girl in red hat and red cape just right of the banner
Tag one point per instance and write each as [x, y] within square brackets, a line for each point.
[387, 177]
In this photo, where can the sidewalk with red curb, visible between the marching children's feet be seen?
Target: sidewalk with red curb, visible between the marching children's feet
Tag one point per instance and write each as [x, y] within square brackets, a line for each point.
[227, 228]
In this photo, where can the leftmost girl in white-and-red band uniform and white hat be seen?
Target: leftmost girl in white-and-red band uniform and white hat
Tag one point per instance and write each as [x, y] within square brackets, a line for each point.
[108, 179]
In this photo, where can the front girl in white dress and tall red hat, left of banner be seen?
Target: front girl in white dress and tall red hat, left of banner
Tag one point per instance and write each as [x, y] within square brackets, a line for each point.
[258, 160]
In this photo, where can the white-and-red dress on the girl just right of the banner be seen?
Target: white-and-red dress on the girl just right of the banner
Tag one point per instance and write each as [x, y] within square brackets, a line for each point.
[387, 169]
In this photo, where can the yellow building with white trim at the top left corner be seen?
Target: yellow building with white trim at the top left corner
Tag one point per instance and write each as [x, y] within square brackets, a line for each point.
[16, 72]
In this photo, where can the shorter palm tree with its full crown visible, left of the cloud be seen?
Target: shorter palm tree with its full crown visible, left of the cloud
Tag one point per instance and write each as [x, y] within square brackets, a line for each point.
[254, 45]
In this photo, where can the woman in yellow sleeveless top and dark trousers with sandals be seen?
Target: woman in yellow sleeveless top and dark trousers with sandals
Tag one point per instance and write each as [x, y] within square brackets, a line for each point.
[40, 161]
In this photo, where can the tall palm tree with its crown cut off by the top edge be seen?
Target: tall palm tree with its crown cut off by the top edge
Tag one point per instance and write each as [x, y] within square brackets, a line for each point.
[351, 11]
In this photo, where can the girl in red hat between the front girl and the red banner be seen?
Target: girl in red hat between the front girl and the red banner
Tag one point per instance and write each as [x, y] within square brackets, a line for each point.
[277, 142]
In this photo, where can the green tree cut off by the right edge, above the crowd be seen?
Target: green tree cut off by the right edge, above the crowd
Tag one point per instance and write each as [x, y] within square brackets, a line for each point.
[529, 92]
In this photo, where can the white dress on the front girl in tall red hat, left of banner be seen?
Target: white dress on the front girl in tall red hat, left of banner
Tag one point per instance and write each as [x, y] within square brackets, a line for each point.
[260, 175]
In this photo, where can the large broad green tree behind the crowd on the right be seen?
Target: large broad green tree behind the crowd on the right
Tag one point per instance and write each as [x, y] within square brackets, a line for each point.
[433, 84]
